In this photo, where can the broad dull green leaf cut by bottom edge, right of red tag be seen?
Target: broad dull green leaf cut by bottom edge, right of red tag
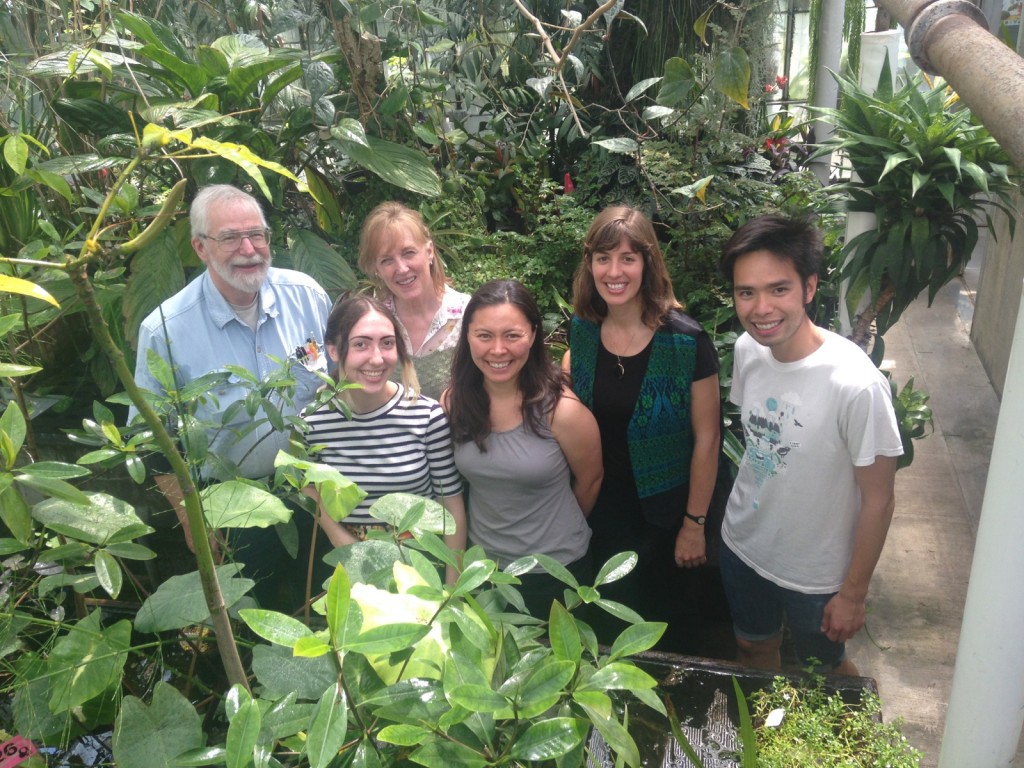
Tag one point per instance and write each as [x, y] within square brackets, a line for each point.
[152, 737]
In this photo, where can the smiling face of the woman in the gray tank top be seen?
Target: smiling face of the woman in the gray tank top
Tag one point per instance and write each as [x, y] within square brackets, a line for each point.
[500, 340]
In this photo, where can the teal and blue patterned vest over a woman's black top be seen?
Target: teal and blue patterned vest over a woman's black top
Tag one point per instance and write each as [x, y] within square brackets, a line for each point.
[661, 436]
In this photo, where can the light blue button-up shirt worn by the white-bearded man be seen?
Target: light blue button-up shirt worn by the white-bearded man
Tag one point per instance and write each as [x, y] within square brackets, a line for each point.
[198, 332]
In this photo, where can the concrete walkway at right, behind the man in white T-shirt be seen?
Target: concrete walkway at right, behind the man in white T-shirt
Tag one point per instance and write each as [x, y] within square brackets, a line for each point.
[917, 599]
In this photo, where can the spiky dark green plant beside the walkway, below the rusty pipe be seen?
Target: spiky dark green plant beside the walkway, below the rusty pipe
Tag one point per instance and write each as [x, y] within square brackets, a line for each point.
[927, 170]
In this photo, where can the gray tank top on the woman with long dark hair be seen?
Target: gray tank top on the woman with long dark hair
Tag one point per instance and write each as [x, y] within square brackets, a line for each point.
[521, 501]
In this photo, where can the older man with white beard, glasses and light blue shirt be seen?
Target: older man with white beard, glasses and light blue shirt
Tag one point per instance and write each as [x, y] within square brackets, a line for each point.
[241, 312]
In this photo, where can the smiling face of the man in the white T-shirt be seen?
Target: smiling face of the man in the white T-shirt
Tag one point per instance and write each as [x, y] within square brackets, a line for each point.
[771, 300]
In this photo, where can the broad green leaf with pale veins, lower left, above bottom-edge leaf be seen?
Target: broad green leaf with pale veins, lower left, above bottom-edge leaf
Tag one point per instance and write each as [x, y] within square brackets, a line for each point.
[88, 662]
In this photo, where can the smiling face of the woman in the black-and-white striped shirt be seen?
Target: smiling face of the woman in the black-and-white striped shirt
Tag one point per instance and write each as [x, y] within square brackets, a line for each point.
[371, 356]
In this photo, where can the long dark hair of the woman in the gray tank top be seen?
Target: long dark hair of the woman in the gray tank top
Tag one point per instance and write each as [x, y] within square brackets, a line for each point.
[540, 380]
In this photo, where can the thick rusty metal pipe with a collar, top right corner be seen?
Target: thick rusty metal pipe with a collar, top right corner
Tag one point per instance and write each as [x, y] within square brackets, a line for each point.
[989, 76]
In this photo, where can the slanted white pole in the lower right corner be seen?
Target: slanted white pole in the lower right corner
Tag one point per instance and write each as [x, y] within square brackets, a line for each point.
[987, 706]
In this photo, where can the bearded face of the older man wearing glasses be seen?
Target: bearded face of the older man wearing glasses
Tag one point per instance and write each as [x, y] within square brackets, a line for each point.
[237, 274]
